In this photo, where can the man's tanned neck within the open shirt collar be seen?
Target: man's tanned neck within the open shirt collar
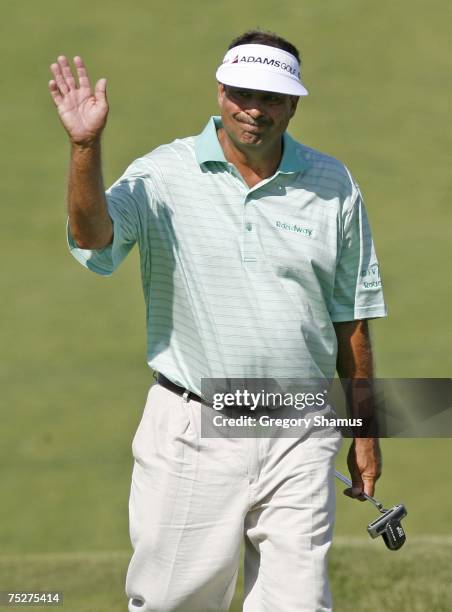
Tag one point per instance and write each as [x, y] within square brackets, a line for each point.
[254, 163]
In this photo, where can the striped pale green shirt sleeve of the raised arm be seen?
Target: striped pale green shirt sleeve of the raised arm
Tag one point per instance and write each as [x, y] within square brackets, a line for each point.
[127, 201]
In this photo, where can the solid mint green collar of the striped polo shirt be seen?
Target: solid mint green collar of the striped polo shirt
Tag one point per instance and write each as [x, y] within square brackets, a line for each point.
[208, 149]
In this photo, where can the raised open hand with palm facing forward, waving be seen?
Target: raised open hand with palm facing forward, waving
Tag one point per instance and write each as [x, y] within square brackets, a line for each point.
[83, 112]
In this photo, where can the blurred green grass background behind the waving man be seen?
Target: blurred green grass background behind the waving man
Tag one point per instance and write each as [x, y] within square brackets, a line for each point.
[73, 373]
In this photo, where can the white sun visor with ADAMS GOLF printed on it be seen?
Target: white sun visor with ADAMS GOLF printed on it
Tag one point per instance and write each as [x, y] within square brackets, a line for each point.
[262, 67]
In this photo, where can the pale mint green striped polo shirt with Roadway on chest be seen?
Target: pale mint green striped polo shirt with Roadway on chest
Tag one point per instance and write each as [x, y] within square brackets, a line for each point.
[240, 282]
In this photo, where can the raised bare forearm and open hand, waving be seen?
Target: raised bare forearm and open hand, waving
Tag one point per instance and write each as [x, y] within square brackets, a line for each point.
[83, 115]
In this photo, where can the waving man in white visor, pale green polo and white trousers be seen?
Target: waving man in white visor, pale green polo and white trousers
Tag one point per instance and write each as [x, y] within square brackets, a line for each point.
[253, 253]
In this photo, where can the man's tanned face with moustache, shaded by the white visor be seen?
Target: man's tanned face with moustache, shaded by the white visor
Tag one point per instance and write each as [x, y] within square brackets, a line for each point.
[253, 118]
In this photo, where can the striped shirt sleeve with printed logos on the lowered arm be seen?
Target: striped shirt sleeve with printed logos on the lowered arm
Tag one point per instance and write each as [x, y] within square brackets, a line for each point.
[358, 292]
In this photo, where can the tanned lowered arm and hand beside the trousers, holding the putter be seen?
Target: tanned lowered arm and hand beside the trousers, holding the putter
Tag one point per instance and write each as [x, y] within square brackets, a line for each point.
[354, 361]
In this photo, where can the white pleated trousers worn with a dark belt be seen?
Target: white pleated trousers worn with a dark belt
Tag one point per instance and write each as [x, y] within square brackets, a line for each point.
[193, 500]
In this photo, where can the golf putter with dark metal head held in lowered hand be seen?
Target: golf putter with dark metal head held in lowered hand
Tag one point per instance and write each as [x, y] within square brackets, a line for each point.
[388, 524]
